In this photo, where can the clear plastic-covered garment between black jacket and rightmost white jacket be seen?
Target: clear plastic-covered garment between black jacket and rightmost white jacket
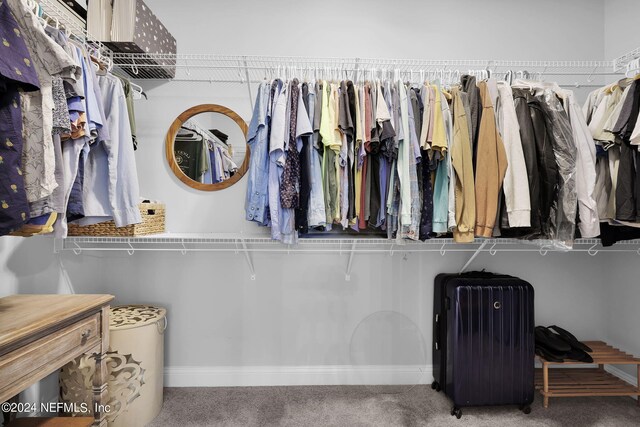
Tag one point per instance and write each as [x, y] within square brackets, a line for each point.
[563, 210]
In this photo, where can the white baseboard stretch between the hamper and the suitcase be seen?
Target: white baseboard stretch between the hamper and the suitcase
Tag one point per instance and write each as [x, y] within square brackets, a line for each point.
[235, 376]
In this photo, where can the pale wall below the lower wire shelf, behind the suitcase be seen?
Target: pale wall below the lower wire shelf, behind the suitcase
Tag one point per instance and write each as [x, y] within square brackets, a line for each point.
[301, 313]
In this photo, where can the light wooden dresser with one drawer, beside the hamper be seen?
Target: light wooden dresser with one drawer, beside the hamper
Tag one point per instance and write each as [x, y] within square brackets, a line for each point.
[41, 333]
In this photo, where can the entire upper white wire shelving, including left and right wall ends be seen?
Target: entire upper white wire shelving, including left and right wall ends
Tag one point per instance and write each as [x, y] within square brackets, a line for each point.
[253, 69]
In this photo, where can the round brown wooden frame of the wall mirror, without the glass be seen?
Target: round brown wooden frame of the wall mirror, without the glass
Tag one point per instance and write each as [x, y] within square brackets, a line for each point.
[173, 131]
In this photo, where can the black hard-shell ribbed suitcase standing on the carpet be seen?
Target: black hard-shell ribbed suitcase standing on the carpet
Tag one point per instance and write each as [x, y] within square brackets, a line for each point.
[483, 340]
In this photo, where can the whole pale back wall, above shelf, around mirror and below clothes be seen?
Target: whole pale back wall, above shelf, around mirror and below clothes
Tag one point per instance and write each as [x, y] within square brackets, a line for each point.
[300, 311]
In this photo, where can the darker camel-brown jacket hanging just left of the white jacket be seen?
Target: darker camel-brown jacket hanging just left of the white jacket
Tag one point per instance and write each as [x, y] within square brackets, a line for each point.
[491, 167]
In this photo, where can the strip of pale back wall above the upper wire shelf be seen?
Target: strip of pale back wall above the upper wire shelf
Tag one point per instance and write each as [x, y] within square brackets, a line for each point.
[457, 29]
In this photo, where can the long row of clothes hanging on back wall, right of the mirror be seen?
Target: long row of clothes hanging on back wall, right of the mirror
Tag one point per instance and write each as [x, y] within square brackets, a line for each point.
[421, 160]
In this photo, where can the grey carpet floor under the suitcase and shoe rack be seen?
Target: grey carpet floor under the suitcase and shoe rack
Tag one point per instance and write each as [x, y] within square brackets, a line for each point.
[374, 406]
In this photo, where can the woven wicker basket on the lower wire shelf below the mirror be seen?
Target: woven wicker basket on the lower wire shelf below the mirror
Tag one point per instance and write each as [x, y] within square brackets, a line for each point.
[152, 223]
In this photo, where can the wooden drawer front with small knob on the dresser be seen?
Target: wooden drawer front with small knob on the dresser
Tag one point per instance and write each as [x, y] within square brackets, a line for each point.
[52, 351]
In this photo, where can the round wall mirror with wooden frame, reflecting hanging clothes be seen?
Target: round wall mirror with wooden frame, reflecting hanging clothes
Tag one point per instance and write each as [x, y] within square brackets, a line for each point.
[206, 147]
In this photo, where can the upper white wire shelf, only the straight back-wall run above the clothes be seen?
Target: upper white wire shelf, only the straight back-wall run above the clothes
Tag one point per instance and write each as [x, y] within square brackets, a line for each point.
[253, 69]
